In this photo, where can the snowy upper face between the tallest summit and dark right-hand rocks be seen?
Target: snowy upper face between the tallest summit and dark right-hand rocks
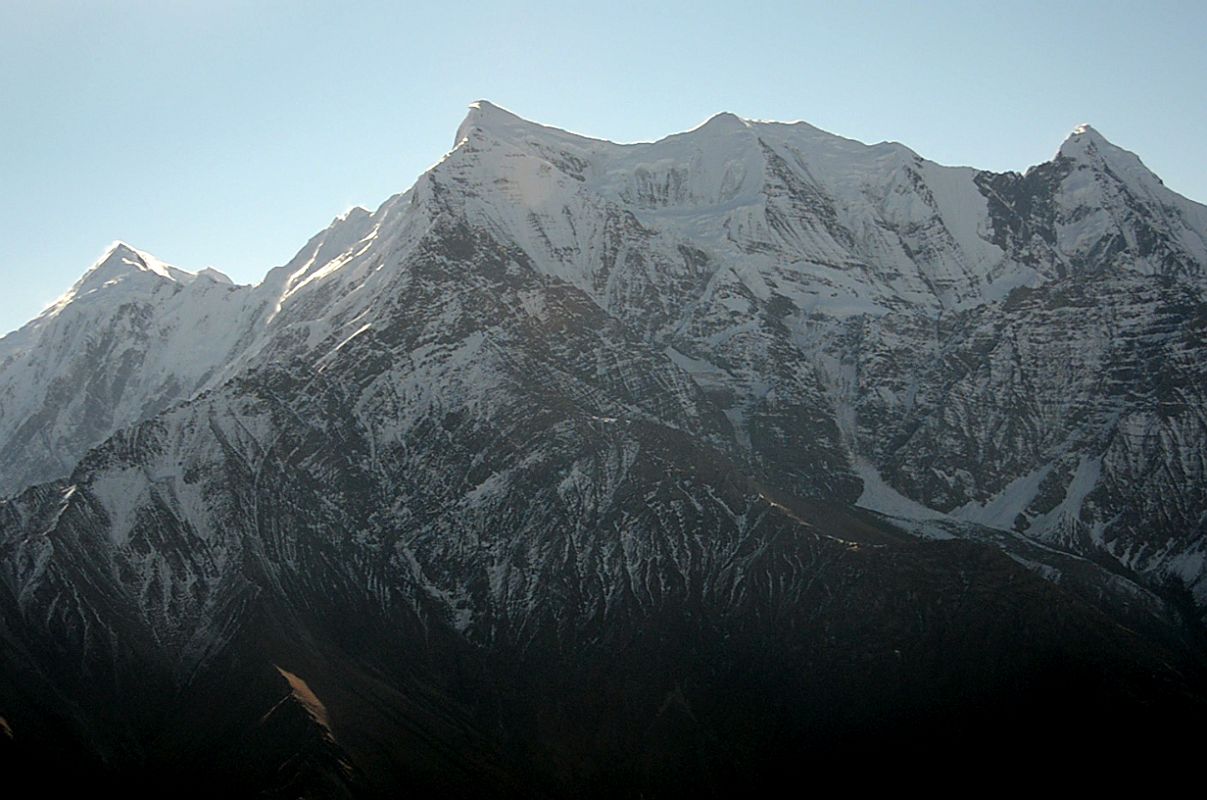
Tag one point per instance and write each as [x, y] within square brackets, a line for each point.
[826, 221]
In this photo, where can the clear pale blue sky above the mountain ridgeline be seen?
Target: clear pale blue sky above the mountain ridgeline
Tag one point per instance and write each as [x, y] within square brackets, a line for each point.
[225, 133]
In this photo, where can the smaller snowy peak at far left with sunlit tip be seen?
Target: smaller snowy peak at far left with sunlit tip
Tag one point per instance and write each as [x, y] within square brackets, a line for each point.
[133, 337]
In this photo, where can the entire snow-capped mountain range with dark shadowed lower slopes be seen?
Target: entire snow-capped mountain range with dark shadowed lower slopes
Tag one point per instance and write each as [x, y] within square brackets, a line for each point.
[666, 422]
